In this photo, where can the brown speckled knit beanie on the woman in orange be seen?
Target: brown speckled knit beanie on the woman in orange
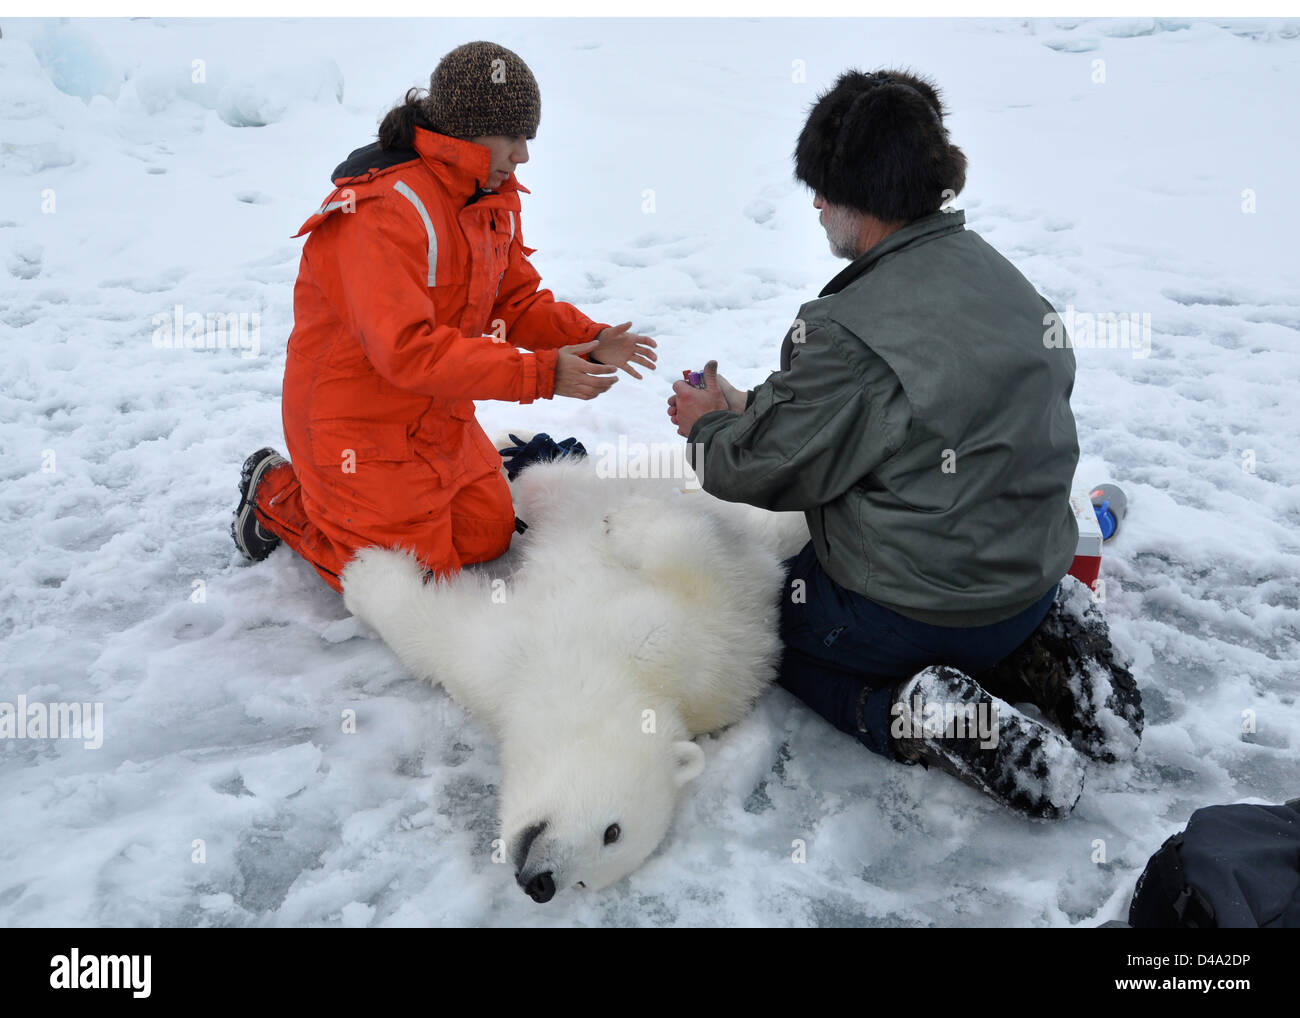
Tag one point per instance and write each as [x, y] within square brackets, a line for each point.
[484, 89]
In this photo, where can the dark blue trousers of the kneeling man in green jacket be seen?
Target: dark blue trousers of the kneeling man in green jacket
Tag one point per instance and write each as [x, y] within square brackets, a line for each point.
[838, 643]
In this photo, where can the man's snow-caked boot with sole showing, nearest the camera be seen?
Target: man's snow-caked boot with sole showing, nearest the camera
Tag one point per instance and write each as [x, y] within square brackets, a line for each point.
[946, 720]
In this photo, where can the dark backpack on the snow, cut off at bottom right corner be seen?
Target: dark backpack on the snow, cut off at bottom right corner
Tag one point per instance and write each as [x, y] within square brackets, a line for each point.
[1234, 867]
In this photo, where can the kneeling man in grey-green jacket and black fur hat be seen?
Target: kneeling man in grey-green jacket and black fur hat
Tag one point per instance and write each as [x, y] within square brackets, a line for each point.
[924, 426]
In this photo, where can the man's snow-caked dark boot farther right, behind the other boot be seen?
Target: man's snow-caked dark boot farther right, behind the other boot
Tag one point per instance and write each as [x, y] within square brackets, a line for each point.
[1071, 672]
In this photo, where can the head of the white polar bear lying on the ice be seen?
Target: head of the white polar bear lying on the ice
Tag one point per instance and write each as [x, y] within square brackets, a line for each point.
[593, 808]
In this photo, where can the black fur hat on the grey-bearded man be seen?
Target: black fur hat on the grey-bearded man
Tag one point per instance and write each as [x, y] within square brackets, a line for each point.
[877, 144]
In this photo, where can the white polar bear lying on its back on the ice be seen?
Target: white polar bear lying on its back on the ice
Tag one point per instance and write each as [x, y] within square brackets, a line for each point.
[639, 618]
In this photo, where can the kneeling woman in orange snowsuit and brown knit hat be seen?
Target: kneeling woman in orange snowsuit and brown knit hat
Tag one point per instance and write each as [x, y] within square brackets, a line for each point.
[414, 296]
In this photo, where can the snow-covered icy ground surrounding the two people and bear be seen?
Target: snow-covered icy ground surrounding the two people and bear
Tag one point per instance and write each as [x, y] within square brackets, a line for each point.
[1159, 181]
